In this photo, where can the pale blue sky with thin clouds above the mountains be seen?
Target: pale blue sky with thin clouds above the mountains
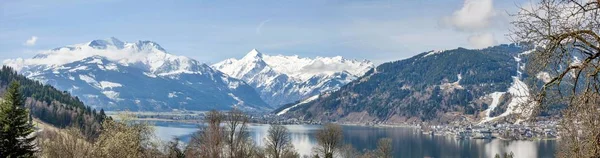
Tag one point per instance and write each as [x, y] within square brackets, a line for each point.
[211, 31]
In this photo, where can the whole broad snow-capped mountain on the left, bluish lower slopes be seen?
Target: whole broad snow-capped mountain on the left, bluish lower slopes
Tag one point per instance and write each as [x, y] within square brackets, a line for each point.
[118, 75]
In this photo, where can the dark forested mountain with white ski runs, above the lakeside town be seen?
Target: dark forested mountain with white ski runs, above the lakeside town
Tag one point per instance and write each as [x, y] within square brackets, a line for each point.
[480, 85]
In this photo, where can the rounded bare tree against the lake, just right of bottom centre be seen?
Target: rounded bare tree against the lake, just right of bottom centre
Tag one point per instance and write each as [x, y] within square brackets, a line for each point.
[329, 139]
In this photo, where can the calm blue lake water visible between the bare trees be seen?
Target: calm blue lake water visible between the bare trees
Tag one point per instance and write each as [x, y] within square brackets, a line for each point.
[407, 142]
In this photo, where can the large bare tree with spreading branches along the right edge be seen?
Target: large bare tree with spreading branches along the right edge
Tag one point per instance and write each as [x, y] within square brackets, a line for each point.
[567, 59]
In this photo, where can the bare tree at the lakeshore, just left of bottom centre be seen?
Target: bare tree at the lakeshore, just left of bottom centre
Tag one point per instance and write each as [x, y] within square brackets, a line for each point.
[278, 143]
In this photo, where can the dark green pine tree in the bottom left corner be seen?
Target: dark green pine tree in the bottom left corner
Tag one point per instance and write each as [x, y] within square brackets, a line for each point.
[16, 139]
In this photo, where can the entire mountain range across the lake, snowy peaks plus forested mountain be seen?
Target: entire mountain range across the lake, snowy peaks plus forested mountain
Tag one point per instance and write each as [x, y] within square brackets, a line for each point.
[435, 86]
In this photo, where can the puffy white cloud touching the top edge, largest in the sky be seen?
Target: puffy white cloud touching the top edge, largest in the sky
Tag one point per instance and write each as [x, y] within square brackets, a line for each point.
[474, 15]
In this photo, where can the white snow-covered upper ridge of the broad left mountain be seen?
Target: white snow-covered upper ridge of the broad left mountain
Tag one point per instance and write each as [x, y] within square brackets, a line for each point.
[147, 55]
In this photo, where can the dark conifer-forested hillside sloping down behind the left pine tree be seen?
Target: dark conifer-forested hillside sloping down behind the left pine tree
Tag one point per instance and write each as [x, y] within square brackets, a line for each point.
[53, 106]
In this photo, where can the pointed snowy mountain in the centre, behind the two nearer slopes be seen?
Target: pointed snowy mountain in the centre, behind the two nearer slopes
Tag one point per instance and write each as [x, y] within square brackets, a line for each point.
[284, 79]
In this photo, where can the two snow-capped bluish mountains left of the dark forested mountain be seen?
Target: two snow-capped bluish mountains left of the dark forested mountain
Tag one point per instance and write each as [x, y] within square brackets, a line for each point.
[143, 76]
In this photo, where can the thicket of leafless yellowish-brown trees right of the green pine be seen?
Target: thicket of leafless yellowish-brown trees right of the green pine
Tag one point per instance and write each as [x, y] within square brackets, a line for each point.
[124, 138]
